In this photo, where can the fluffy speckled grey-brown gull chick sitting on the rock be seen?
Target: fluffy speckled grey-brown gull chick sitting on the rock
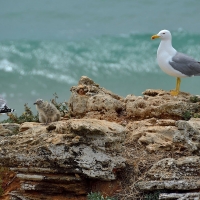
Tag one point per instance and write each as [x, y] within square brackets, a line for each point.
[47, 111]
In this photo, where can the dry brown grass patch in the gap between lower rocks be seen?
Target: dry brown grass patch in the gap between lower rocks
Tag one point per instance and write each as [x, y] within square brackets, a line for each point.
[139, 161]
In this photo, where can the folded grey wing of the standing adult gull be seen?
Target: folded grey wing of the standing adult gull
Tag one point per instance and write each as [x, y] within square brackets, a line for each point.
[185, 64]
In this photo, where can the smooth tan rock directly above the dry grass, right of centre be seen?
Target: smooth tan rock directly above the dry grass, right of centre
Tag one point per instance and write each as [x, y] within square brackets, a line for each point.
[155, 134]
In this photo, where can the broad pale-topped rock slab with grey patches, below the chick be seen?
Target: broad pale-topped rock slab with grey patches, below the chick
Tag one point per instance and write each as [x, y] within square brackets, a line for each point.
[82, 145]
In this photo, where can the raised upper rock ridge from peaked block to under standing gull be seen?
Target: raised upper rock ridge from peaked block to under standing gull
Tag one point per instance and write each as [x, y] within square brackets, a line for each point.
[89, 100]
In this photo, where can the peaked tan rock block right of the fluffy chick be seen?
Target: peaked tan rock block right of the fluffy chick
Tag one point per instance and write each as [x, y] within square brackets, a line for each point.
[89, 100]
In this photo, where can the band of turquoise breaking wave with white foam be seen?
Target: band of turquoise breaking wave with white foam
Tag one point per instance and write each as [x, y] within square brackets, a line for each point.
[102, 56]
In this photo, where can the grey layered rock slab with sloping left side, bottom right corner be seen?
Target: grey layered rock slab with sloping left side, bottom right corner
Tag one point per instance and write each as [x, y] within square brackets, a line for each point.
[181, 174]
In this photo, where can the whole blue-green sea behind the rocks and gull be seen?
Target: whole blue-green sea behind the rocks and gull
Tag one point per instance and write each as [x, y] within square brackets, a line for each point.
[46, 46]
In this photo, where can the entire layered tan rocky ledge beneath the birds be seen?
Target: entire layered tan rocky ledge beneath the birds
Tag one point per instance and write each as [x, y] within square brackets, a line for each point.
[133, 148]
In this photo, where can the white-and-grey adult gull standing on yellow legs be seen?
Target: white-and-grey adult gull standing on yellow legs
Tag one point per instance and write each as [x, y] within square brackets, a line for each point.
[173, 62]
